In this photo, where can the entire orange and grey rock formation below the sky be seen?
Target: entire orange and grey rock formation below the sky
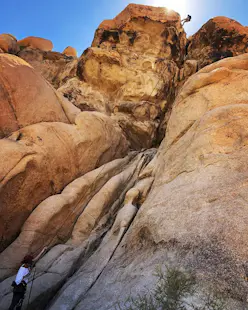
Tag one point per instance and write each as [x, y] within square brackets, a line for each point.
[109, 215]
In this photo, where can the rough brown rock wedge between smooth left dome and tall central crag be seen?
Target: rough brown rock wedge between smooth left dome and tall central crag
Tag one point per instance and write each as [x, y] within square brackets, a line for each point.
[55, 67]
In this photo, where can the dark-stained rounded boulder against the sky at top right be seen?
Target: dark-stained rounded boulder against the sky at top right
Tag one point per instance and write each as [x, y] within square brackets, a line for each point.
[219, 38]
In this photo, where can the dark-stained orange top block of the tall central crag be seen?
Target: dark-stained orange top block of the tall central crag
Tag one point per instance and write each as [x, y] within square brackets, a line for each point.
[145, 30]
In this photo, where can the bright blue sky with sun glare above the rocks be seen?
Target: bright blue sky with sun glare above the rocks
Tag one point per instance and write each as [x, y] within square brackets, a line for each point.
[74, 22]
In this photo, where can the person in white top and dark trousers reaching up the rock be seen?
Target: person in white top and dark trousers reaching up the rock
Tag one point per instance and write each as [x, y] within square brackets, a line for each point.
[21, 280]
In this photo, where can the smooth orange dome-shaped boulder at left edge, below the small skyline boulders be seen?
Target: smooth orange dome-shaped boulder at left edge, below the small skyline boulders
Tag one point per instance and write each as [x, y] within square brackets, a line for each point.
[25, 97]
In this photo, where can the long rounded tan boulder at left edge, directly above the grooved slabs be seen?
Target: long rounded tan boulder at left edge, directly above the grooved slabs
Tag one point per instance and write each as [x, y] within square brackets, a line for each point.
[40, 160]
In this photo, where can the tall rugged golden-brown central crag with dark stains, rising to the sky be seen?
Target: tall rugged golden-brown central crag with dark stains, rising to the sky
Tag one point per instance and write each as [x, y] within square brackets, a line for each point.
[132, 70]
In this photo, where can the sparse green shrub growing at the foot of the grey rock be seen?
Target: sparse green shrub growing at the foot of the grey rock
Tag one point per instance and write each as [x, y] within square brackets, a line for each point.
[172, 292]
